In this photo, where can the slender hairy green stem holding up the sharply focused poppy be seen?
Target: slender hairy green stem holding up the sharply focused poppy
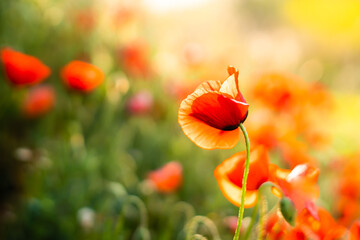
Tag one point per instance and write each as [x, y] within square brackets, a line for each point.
[246, 173]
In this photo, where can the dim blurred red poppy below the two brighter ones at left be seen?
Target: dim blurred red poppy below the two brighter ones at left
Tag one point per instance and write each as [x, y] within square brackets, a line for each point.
[39, 101]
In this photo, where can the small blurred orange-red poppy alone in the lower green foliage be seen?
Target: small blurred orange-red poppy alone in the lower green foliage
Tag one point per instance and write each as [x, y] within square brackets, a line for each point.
[168, 178]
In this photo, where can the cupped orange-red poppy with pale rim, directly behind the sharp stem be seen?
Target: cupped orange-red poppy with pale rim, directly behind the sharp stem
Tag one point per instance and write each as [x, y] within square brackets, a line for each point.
[229, 175]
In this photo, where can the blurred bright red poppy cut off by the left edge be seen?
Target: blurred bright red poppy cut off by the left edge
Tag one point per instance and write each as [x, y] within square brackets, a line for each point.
[22, 69]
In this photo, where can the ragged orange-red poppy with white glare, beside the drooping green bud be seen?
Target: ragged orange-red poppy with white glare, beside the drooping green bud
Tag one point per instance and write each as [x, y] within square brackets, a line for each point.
[298, 184]
